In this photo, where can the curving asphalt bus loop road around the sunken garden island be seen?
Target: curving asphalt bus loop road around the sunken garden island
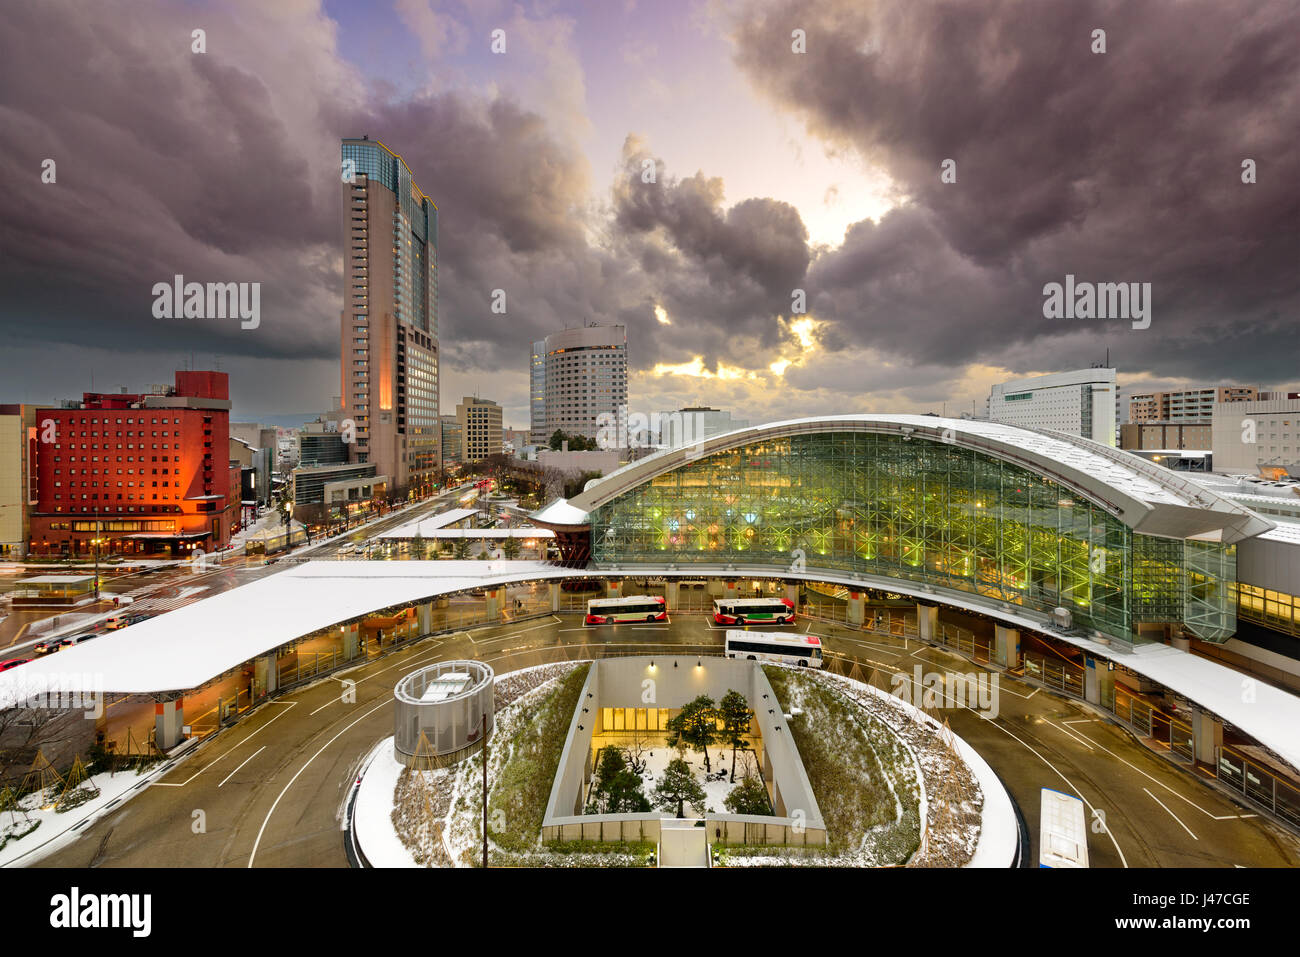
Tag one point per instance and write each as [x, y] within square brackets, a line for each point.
[272, 789]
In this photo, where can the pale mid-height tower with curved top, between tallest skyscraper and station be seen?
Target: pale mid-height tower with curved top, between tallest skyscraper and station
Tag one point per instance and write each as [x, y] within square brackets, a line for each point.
[587, 375]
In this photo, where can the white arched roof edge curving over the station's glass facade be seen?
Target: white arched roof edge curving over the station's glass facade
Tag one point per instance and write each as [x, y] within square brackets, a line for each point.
[1145, 496]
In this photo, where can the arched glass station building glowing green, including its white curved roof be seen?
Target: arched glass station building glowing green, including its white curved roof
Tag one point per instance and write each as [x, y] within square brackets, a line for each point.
[998, 517]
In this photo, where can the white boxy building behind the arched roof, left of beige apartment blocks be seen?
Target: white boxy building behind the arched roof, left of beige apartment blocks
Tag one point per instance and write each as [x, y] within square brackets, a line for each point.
[1078, 404]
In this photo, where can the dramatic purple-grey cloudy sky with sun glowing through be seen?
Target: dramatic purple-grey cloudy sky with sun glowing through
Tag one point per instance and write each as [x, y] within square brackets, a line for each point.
[777, 171]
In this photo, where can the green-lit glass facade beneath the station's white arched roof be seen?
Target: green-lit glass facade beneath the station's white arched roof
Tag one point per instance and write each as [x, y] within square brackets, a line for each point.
[921, 512]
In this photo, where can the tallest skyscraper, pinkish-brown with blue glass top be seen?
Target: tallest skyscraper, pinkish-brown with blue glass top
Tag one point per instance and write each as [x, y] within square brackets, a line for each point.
[389, 339]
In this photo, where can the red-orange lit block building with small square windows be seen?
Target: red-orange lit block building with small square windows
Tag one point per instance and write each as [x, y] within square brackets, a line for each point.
[146, 475]
